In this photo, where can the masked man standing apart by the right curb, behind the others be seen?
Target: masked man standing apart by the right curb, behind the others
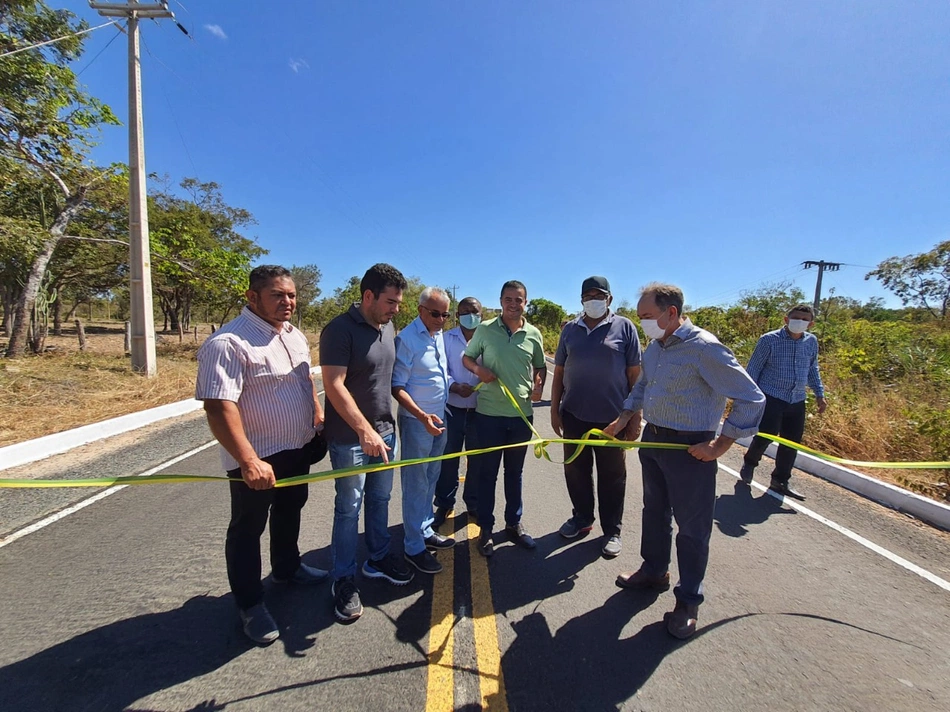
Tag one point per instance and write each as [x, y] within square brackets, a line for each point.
[784, 362]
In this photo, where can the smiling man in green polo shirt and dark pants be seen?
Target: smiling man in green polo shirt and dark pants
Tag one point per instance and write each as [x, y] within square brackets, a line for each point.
[511, 352]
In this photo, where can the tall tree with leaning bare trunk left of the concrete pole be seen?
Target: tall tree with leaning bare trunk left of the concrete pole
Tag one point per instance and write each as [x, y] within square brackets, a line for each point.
[48, 122]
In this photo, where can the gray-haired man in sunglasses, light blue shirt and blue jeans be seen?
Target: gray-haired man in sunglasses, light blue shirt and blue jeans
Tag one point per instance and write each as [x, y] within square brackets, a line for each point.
[420, 386]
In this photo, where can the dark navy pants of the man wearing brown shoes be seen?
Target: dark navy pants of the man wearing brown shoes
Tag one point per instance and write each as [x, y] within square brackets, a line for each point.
[676, 484]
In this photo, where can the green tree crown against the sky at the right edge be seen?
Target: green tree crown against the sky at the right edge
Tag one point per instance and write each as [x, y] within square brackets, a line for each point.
[921, 280]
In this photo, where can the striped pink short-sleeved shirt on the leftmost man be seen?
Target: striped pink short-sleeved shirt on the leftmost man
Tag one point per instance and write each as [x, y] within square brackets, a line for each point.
[266, 371]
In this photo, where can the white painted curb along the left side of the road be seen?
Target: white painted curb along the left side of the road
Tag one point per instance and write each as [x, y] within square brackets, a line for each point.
[39, 449]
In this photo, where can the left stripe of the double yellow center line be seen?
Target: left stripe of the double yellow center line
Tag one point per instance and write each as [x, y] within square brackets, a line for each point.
[440, 687]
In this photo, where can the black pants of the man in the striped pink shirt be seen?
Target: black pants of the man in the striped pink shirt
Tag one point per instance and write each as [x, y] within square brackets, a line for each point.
[249, 509]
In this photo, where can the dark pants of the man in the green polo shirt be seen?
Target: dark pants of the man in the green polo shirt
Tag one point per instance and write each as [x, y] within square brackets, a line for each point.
[494, 431]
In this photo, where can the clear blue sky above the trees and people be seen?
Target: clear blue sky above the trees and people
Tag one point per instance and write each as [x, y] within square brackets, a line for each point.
[713, 144]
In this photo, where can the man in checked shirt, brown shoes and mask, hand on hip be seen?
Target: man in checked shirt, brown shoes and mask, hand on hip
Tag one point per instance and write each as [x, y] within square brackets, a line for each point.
[687, 377]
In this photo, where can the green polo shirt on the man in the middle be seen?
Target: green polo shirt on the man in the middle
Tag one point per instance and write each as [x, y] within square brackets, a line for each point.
[510, 356]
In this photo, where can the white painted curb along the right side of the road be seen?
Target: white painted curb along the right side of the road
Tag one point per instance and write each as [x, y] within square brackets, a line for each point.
[902, 500]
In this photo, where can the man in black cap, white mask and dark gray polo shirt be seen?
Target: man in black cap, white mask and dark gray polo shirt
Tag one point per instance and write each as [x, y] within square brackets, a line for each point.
[595, 366]
